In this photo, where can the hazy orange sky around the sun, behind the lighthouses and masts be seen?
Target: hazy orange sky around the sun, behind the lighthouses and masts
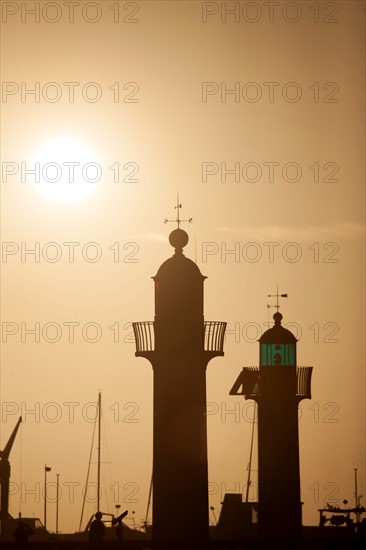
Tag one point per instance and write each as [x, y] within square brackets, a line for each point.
[256, 118]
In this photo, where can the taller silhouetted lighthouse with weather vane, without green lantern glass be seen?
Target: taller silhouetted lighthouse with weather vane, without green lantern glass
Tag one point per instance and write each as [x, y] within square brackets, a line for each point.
[179, 344]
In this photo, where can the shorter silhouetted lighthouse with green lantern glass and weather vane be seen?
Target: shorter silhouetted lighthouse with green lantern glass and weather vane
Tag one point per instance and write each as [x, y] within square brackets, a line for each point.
[277, 386]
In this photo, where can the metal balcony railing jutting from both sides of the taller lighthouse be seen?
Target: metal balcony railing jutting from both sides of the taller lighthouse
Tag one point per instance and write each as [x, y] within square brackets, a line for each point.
[214, 333]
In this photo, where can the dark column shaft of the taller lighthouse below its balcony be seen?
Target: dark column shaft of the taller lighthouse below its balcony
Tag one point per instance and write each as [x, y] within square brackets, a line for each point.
[180, 470]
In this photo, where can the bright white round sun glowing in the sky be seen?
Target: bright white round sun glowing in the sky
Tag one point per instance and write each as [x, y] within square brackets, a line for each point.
[66, 169]
